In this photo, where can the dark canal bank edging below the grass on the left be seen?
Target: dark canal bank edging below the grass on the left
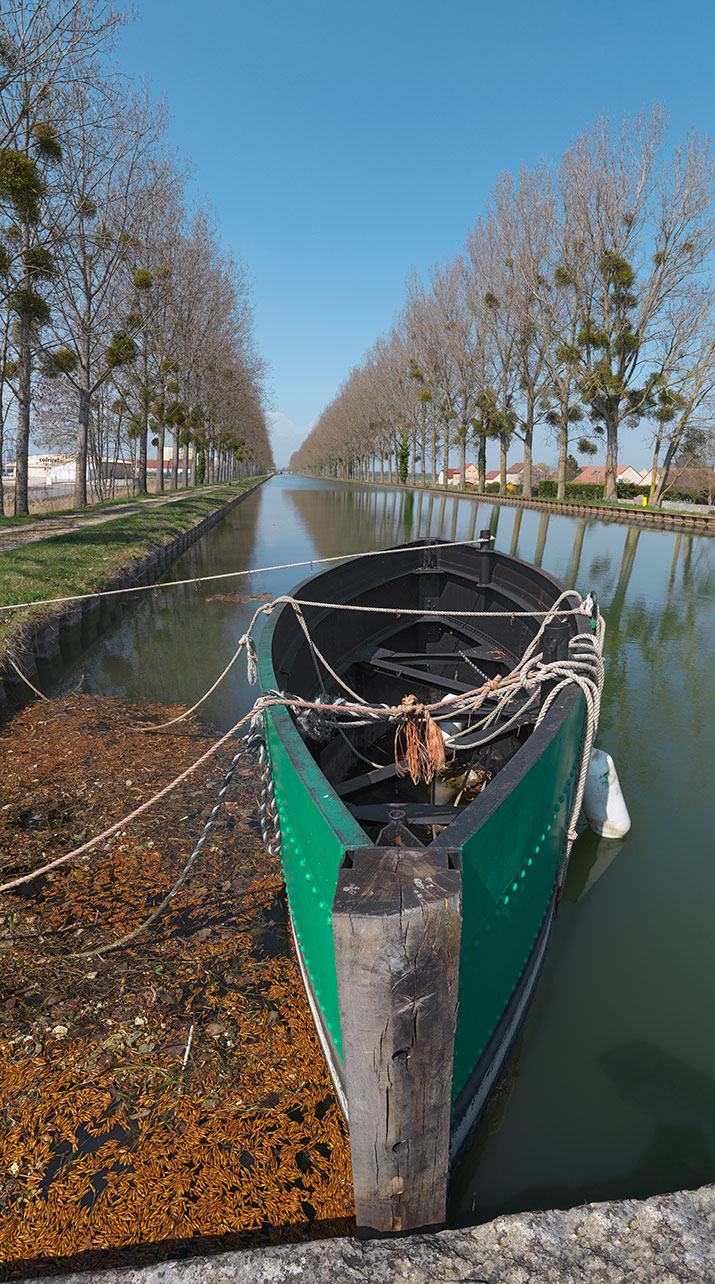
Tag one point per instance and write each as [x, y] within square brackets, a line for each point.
[47, 646]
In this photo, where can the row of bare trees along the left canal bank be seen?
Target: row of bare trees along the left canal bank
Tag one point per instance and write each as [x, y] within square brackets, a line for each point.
[124, 322]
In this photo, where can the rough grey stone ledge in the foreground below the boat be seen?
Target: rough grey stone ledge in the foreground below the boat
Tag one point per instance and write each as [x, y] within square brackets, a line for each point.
[669, 1240]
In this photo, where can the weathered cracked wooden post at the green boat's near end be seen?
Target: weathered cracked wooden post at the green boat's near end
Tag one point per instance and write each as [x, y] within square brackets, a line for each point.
[397, 924]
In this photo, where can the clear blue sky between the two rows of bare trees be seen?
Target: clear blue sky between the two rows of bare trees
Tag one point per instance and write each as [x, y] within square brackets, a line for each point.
[345, 144]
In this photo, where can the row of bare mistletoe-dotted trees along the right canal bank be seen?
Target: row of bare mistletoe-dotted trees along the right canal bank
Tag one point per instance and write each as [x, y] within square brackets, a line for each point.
[583, 301]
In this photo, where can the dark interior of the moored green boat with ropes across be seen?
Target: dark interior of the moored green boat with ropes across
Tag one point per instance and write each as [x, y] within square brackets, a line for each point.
[386, 657]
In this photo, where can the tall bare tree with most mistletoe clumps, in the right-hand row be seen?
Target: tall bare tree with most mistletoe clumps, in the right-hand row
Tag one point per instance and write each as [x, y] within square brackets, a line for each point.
[645, 230]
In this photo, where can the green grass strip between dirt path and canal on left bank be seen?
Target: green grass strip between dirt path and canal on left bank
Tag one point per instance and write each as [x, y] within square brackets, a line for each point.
[85, 560]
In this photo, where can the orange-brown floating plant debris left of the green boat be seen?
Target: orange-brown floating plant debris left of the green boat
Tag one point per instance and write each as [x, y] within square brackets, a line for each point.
[173, 1089]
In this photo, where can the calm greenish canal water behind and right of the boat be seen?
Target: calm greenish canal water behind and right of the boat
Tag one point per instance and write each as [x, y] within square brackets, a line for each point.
[612, 1089]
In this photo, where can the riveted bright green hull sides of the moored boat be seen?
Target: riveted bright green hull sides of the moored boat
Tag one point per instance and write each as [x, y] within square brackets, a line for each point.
[513, 849]
